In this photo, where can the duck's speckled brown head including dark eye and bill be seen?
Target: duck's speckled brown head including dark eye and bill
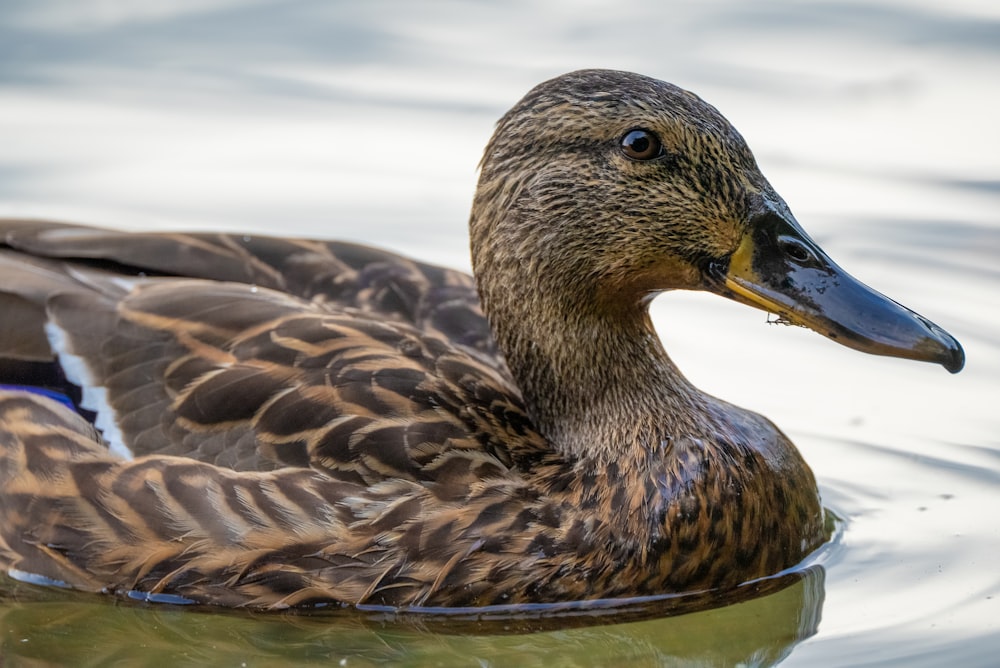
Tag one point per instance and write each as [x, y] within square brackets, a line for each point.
[601, 189]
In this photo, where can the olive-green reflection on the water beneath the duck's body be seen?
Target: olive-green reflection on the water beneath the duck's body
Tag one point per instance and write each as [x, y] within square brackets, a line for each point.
[758, 632]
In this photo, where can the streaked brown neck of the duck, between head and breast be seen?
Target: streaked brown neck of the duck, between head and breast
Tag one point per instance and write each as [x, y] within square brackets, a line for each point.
[594, 376]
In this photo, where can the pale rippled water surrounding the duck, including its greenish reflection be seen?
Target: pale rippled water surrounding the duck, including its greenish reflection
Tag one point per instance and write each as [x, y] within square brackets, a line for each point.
[875, 121]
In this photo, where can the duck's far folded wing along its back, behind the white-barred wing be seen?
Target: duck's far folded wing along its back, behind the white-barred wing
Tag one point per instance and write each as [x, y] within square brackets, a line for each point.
[432, 298]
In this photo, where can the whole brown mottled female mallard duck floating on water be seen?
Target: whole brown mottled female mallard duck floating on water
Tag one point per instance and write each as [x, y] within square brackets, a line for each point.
[287, 423]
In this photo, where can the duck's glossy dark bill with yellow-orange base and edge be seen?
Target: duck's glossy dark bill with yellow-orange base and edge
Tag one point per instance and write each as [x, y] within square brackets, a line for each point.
[779, 269]
